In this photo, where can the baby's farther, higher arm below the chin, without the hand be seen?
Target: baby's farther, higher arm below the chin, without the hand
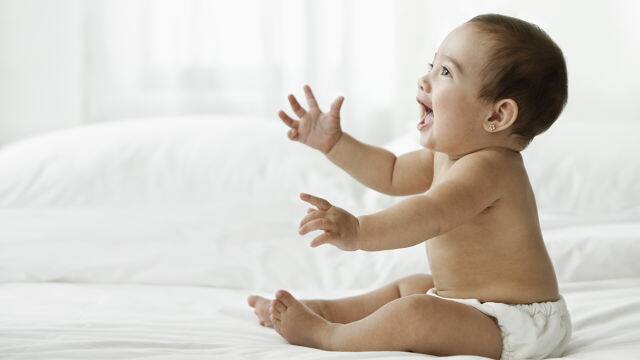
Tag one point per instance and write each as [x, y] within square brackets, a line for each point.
[381, 170]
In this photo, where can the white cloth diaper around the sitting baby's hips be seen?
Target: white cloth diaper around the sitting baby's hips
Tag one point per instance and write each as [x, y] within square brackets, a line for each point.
[529, 331]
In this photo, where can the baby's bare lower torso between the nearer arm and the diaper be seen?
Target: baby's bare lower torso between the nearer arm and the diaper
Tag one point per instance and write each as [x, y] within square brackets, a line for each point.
[506, 272]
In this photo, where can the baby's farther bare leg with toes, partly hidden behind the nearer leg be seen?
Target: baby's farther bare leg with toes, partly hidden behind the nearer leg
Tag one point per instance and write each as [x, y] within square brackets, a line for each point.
[349, 309]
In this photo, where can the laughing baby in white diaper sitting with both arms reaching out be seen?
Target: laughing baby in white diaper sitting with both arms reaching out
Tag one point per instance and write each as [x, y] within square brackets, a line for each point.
[495, 83]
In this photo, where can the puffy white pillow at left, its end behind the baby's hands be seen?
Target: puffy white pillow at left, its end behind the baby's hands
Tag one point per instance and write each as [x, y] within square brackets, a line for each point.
[160, 162]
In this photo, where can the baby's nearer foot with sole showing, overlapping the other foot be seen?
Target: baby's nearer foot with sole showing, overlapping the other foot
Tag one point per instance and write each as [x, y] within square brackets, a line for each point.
[297, 323]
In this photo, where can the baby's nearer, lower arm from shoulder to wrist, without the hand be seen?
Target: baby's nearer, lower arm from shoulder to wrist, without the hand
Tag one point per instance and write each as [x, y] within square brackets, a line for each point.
[471, 185]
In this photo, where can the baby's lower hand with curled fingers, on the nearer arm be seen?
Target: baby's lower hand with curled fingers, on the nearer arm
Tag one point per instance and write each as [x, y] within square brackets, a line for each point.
[340, 227]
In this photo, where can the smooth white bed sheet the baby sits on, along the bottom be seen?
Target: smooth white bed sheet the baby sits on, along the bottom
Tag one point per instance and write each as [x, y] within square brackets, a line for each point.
[101, 321]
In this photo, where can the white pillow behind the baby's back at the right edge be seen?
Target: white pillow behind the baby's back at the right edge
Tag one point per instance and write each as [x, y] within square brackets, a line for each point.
[586, 167]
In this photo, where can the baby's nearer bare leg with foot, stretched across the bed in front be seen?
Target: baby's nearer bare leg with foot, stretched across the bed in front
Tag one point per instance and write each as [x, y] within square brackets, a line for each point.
[416, 323]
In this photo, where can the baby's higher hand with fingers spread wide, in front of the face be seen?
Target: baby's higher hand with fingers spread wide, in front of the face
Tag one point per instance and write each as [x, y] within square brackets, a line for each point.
[315, 128]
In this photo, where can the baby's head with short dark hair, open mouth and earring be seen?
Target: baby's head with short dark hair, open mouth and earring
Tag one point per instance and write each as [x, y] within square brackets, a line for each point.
[496, 81]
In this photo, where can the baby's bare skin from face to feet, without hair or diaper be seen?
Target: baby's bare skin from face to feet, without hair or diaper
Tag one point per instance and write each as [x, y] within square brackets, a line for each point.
[473, 207]
